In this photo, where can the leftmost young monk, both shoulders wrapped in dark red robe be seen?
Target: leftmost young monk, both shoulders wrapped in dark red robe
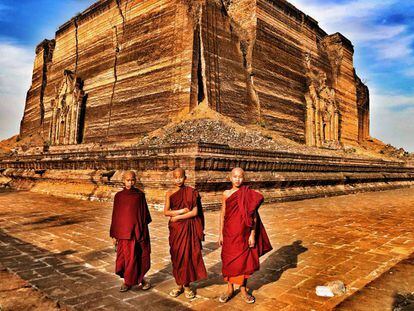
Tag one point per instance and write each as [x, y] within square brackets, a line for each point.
[130, 234]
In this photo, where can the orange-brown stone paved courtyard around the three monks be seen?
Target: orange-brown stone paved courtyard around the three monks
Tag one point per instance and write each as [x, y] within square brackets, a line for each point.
[61, 246]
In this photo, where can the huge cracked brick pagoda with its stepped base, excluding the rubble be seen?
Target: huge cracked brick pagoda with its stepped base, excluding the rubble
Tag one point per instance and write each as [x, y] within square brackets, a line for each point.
[124, 68]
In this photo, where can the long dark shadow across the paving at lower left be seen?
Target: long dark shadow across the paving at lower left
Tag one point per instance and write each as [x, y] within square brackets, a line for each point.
[73, 283]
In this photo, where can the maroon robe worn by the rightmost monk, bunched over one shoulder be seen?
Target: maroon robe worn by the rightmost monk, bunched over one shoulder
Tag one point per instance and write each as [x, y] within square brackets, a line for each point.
[237, 257]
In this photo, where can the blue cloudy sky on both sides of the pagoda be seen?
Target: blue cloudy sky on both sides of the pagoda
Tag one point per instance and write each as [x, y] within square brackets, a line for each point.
[382, 32]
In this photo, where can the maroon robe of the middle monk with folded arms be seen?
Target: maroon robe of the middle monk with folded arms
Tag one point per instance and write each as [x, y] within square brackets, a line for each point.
[185, 238]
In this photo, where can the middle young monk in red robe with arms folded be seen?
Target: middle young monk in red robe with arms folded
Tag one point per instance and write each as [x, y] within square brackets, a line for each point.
[186, 226]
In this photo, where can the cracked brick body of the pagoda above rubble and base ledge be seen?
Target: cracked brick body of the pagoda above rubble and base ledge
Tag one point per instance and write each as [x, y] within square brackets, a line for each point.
[143, 62]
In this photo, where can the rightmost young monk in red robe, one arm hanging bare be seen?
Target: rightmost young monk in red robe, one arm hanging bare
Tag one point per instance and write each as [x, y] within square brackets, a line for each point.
[242, 235]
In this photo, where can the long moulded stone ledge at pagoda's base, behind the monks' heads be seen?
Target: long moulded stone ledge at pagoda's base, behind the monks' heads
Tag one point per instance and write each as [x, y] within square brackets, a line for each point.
[281, 176]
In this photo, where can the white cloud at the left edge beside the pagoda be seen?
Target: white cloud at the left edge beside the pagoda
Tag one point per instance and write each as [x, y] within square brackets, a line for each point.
[16, 66]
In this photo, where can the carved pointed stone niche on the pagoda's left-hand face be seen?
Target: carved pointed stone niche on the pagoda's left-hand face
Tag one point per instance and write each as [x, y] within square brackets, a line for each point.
[66, 126]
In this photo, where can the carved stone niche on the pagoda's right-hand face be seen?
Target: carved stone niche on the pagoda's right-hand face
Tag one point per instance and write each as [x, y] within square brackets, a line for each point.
[322, 112]
